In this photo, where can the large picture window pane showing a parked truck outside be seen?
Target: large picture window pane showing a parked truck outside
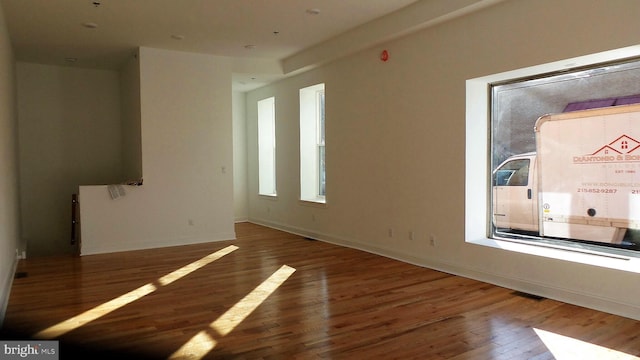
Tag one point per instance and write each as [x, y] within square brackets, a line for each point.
[565, 158]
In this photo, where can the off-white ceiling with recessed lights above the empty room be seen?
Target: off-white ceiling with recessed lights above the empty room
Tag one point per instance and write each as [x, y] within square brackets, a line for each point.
[269, 37]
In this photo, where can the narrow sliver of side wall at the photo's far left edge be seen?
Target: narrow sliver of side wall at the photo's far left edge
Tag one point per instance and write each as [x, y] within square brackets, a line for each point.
[9, 214]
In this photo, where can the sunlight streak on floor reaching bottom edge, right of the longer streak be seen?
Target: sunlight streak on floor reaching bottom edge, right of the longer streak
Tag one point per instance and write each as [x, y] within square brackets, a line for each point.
[202, 343]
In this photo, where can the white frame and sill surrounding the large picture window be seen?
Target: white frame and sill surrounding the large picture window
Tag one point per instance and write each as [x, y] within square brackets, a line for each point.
[478, 161]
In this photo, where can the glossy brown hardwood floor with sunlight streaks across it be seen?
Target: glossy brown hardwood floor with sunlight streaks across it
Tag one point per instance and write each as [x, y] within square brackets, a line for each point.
[273, 295]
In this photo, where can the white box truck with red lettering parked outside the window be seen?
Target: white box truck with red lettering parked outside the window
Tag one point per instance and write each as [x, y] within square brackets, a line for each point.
[583, 182]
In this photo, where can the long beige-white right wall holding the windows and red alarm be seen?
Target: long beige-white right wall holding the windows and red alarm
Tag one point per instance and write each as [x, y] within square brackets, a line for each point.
[395, 135]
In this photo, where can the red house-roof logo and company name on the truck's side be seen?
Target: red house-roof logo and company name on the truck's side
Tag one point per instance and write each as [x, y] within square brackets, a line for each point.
[619, 150]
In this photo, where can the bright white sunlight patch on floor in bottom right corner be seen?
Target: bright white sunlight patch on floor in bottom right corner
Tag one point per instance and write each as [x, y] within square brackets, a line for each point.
[567, 348]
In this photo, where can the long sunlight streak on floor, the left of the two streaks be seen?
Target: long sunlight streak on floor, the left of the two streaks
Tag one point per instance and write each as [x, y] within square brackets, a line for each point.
[115, 304]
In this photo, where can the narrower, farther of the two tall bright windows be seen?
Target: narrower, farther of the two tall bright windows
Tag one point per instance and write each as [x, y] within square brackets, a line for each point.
[267, 147]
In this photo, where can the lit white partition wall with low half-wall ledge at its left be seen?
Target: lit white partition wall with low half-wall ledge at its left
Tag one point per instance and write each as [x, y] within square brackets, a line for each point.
[187, 161]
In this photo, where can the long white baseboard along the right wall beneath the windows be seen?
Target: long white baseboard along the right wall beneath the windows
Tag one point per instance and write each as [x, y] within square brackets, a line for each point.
[587, 300]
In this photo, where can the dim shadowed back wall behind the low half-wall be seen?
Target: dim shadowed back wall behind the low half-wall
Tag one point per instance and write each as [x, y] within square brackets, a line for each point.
[70, 135]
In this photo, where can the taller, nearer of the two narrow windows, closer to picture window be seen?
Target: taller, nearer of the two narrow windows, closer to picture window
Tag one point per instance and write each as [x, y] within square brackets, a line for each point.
[312, 144]
